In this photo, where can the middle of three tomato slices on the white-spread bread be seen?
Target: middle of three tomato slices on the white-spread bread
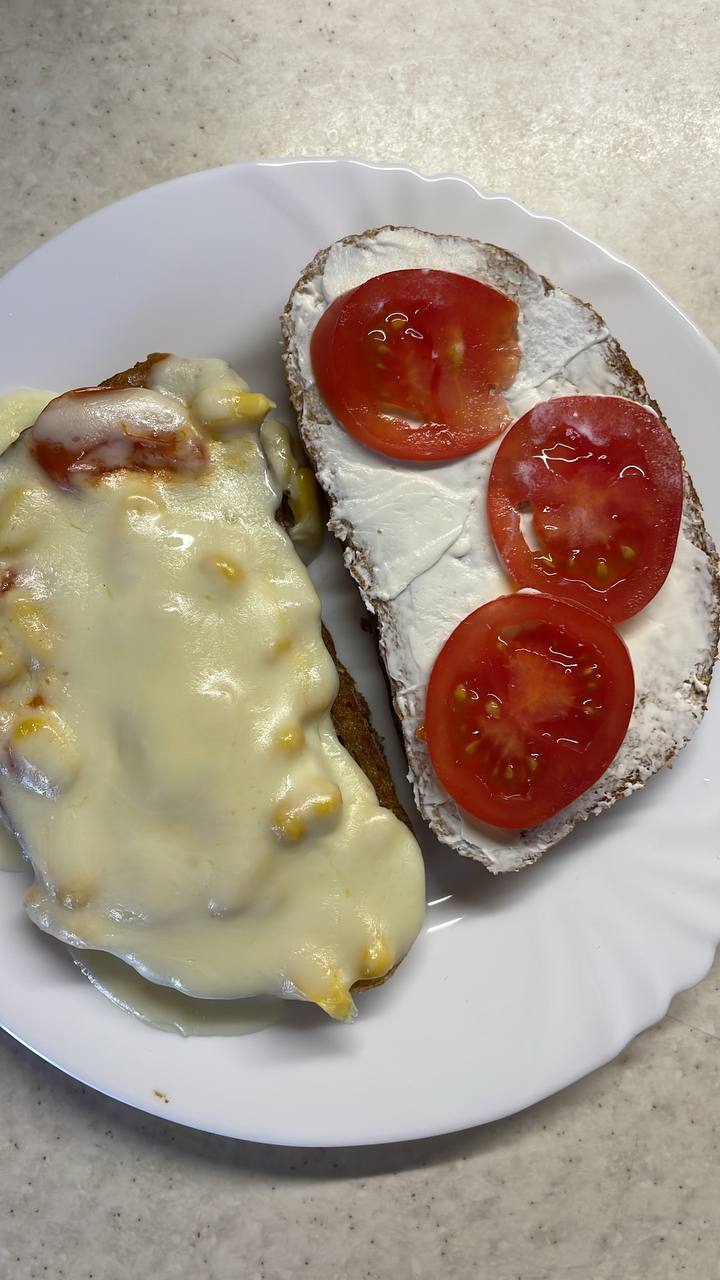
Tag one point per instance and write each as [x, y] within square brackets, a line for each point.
[600, 483]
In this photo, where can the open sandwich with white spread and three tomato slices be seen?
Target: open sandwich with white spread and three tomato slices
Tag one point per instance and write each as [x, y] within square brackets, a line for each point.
[521, 522]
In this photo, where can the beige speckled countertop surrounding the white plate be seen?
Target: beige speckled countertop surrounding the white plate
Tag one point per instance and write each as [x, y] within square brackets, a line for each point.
[609, 117]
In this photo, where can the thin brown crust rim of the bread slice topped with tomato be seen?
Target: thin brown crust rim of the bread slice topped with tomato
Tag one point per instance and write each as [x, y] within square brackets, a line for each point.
[511, 275]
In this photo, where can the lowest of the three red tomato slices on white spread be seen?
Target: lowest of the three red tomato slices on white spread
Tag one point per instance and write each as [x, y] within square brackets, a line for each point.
[527, 706]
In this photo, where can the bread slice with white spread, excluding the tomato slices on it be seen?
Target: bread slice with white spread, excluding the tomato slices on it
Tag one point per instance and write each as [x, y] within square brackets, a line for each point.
[418, 545]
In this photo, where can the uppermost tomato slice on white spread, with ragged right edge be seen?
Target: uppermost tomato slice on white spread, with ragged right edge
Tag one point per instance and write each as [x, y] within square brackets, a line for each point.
[413, 363]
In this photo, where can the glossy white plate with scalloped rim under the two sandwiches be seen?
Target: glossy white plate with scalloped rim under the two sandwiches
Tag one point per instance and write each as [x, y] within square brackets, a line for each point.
[521, 985]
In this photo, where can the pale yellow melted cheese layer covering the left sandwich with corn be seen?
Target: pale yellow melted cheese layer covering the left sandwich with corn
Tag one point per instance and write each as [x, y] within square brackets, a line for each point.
[168, 753]
